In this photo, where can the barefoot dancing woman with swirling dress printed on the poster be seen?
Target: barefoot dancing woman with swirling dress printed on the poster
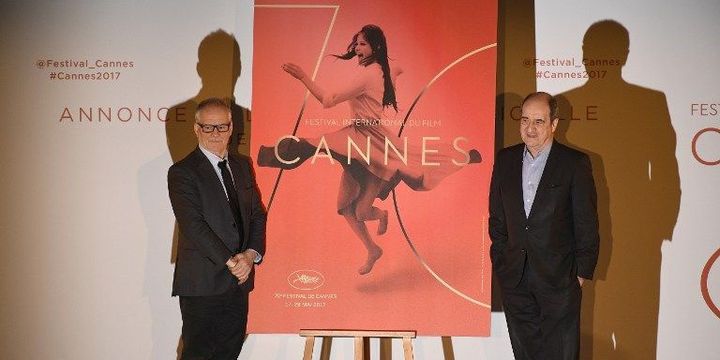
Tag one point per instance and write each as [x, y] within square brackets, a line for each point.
[370, 175]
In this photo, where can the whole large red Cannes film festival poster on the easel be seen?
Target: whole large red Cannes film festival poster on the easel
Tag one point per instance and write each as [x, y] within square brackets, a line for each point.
[373, 127]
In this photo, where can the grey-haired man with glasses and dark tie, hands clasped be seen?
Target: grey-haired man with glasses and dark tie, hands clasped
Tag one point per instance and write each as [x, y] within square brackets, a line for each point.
[222, 236]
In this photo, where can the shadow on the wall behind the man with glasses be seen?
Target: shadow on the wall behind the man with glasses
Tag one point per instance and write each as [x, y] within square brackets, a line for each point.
[219, 68]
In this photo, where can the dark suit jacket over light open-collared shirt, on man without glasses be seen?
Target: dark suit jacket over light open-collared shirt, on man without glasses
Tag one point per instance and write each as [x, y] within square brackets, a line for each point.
[559, 239]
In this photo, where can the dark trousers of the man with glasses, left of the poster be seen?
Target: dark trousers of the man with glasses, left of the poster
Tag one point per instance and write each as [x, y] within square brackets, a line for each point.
[214, 326]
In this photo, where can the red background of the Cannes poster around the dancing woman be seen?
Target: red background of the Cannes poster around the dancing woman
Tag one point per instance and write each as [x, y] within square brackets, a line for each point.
[443, 288]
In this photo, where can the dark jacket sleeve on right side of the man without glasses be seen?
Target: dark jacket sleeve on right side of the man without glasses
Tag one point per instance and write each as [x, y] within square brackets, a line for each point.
[585, 219]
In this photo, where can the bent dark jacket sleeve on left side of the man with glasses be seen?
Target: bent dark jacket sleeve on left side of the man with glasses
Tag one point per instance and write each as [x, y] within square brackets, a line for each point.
[186, 203]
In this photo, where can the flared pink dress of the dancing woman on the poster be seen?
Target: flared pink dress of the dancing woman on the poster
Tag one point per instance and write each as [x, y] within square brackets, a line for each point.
[364, 93]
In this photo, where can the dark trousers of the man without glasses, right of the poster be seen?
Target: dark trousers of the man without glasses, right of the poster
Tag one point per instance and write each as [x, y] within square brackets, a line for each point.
[544, 324]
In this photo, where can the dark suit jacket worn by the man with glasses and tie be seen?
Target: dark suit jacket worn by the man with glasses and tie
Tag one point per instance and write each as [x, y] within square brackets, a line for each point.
[208, 233]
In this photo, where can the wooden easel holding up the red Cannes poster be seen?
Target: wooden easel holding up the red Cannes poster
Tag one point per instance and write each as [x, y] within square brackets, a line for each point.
[360, 336]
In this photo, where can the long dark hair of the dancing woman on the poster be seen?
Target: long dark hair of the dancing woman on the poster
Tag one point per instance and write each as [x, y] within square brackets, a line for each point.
[376, 38]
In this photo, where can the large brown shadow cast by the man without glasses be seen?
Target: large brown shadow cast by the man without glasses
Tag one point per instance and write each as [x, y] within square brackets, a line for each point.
[626, 130]
